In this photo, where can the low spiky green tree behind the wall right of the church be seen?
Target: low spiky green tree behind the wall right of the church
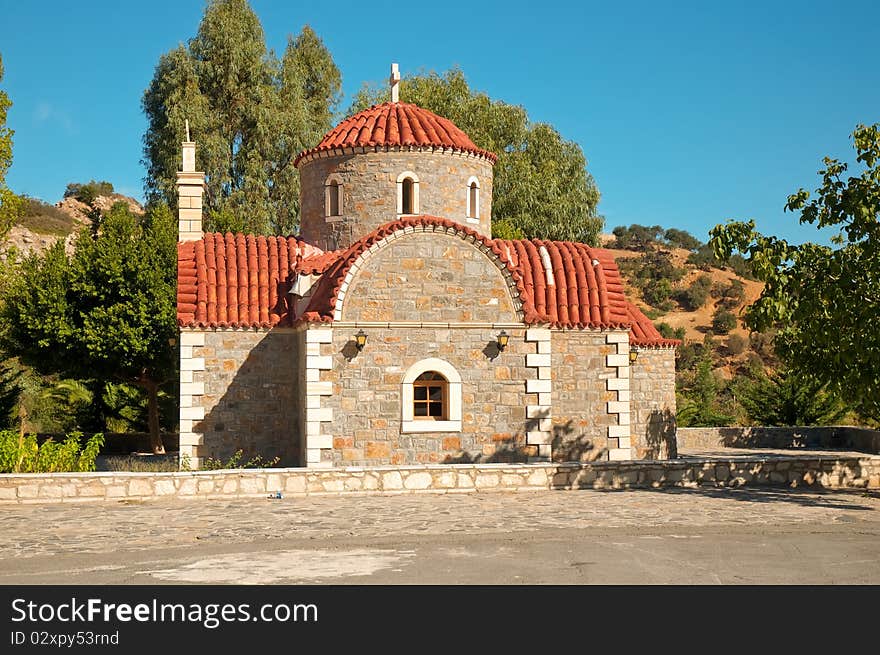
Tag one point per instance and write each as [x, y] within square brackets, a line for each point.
[786, 398]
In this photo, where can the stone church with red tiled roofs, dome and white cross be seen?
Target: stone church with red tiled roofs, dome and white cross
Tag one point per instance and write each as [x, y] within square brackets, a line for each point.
[395, 330]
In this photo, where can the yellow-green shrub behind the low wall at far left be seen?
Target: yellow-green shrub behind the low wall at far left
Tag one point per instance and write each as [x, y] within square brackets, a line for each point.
[22, 454]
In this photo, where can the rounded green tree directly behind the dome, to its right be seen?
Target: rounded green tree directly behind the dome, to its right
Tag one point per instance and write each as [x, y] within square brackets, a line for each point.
[541, 187]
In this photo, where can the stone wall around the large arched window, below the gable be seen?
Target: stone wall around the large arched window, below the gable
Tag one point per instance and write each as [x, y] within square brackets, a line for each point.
[367, 391]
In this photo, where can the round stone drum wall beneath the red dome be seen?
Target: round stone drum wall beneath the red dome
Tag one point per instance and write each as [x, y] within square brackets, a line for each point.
[369, 183]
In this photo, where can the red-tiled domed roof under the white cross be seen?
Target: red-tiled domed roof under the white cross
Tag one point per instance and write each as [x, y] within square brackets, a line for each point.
[397, 124]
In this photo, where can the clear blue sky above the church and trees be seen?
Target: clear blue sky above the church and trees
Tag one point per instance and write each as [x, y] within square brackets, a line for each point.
[689, 113]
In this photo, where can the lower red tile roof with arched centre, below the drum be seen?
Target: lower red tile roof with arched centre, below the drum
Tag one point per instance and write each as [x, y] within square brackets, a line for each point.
[243, 281]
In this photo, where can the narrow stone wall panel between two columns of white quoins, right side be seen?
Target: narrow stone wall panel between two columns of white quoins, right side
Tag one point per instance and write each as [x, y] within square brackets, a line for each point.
[580, 395]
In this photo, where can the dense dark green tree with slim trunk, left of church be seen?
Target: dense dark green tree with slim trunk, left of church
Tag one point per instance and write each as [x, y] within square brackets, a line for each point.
[108, 311]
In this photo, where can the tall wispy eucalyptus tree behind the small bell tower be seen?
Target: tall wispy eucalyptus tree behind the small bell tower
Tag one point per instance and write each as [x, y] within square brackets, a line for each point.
[250, 113]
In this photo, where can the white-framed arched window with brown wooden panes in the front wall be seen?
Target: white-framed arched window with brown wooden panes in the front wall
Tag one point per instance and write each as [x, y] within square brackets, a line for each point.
[431, 397]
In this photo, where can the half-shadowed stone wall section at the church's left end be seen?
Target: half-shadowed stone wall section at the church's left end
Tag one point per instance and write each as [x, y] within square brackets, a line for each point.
[252, 394]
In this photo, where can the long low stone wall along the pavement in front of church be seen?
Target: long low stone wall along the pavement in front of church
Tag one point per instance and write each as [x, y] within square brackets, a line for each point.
[830, 473]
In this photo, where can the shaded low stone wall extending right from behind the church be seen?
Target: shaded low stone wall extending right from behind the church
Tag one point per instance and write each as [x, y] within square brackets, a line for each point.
[863, 440]
